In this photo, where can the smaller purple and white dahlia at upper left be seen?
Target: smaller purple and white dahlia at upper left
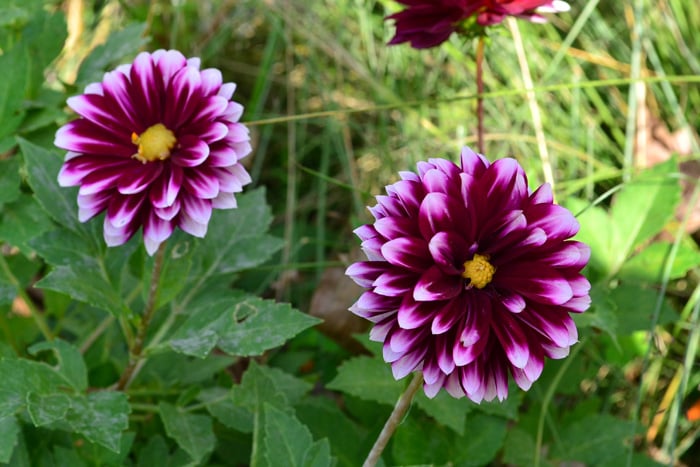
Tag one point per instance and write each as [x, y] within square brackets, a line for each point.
[158, 144]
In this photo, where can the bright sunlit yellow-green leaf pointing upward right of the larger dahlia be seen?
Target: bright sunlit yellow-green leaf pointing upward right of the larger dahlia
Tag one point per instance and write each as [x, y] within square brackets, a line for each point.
[642, 208]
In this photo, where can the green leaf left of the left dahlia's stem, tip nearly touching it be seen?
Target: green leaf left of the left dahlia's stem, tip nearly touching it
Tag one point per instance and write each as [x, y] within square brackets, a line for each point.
[85, 281]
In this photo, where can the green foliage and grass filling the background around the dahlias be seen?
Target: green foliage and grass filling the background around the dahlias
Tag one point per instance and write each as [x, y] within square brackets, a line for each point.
[226, 375]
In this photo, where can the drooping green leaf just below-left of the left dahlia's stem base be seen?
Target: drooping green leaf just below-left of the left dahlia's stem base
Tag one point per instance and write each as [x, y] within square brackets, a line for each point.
[101, 417]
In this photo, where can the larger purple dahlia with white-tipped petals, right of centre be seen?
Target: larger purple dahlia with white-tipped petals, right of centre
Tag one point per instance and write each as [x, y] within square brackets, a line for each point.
[471, 276]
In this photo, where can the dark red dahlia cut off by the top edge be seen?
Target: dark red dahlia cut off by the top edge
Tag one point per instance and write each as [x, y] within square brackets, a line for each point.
[428, 23]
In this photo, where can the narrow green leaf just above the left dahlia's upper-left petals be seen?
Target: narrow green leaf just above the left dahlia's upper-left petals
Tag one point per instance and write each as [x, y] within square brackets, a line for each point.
[119, 46]
